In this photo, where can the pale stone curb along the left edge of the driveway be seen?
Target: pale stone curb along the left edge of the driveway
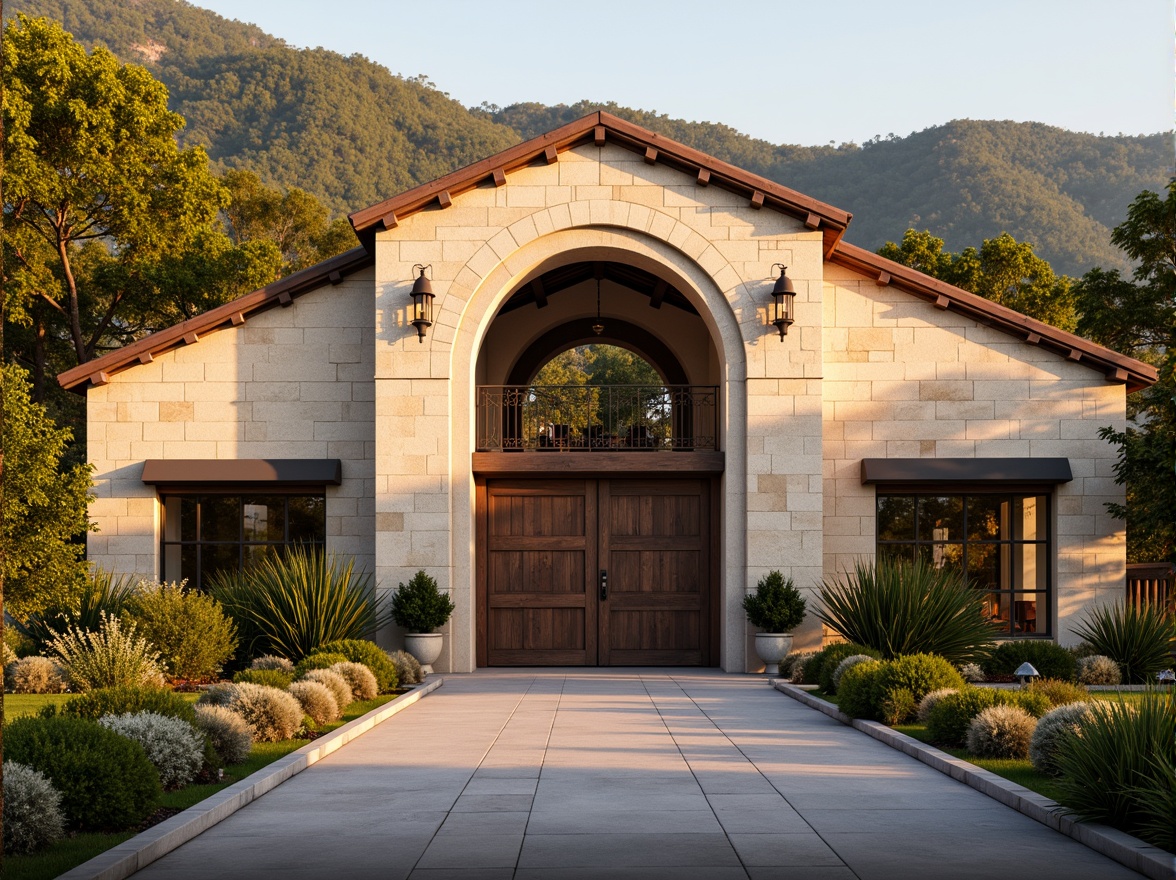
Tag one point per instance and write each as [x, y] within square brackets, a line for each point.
[159, 841]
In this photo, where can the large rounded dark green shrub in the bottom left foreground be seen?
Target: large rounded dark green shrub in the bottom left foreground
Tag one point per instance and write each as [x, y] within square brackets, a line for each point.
[106, 781]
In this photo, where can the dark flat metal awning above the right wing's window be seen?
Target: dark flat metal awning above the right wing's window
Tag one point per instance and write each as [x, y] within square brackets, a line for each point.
[997, 472]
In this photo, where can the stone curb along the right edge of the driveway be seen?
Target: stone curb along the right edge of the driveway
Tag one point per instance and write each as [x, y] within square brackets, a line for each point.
[1132, 852]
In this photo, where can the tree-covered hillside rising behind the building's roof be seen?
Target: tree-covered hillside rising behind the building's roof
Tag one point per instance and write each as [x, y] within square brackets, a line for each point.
[352, 134]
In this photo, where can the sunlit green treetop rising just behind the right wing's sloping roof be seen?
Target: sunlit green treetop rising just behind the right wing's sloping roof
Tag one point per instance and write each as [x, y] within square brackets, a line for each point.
[1004, 270]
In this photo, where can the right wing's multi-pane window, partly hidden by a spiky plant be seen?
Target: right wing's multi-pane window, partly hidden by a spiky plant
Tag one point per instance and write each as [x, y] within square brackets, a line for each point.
[1000, 542]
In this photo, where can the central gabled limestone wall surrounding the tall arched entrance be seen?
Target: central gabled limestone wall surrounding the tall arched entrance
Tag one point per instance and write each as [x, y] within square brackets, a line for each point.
[600, 203]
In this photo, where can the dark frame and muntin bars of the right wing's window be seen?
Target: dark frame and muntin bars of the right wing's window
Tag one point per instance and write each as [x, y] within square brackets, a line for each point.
[972, 490]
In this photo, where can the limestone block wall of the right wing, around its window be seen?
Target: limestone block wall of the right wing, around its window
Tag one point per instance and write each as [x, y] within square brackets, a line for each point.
[904, 379]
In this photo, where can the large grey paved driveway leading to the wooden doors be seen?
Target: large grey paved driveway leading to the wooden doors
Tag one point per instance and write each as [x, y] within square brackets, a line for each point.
[638, 775]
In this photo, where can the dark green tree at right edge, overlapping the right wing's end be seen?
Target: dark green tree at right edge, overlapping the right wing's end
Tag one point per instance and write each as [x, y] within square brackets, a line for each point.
[1139, 318]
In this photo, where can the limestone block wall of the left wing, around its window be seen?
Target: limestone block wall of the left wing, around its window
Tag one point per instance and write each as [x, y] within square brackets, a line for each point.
[291, 383]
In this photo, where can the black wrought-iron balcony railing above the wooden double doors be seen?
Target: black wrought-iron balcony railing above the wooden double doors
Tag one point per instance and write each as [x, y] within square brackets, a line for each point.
[578, 418]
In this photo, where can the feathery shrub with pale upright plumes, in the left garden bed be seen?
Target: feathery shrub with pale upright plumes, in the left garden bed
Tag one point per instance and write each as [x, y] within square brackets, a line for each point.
[112, 657]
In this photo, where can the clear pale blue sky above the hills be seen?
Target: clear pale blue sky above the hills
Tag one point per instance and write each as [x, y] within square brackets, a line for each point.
[797, 72]
